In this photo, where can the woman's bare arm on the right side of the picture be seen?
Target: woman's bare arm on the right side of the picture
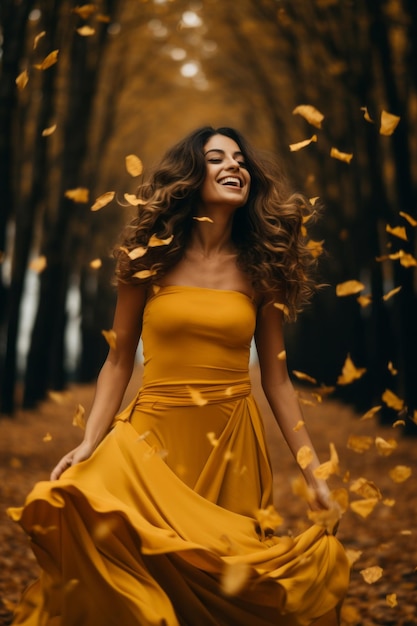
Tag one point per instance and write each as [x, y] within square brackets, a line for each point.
[281, 395]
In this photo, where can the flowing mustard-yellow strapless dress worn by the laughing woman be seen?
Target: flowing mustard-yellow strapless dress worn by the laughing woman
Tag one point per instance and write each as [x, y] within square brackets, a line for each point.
[161, 520]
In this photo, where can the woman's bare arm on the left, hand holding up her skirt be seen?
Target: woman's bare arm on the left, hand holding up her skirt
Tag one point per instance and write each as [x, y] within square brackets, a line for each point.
[114, 375]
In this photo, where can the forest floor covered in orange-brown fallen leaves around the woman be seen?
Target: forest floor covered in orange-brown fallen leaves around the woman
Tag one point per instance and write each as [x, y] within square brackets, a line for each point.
[33, 441]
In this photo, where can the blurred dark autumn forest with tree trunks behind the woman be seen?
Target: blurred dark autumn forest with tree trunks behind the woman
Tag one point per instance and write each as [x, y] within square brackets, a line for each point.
[83, 86]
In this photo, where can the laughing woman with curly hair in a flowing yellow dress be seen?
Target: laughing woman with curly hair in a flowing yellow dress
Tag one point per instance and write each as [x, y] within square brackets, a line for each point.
[163, 514]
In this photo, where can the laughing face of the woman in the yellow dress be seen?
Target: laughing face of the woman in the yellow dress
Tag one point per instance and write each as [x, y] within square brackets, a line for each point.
[227, 181]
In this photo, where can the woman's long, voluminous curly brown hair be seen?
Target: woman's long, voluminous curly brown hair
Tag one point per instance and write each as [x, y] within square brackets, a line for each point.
[268, 231]
